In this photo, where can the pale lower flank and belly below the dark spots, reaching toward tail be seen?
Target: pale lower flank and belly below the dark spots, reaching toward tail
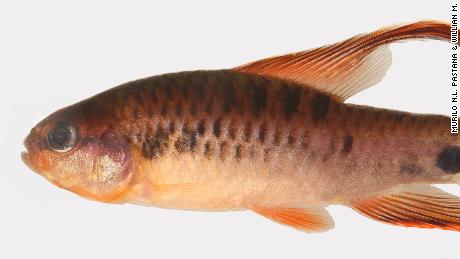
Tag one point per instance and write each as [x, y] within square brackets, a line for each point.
[290, 177]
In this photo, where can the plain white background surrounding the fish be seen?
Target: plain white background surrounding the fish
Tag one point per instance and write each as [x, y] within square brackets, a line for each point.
[53, 54]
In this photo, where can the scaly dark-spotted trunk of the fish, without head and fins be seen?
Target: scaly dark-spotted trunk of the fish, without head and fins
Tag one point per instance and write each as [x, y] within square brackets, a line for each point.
[238, 140]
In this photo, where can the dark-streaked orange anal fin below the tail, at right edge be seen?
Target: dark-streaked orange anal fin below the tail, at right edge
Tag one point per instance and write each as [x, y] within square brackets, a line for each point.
[419, 206]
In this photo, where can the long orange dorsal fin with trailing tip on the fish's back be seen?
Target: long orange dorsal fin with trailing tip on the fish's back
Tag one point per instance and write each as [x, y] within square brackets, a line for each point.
[348, 67]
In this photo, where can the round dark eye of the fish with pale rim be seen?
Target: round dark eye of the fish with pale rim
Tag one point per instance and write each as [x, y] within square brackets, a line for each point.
[62, 137]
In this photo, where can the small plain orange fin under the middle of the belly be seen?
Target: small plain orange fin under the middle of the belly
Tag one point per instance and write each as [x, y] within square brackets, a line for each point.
[304, 219]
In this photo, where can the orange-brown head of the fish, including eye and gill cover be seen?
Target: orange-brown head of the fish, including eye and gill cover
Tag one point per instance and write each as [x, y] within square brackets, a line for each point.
[76, 149]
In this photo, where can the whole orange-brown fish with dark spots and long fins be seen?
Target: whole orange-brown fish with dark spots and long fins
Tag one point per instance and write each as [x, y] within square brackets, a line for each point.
[273, 136]
